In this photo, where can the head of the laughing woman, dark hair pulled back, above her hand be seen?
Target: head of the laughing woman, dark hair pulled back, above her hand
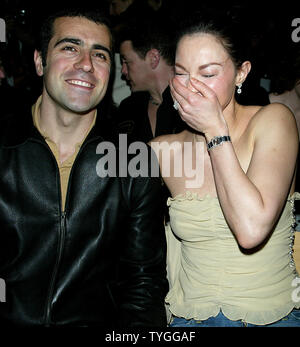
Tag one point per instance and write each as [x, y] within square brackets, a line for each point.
[210, 50]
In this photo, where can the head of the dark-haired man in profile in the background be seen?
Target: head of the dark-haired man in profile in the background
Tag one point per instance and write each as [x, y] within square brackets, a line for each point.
[147, 54]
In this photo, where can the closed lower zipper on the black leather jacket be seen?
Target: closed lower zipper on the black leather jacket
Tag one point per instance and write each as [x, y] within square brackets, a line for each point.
[55, 270]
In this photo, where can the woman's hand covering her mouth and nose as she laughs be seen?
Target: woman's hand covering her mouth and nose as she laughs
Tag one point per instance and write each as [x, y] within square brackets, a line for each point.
[199, 107]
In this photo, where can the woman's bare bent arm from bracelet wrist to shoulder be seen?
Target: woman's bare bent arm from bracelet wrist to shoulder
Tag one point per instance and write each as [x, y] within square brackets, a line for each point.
[252, 201]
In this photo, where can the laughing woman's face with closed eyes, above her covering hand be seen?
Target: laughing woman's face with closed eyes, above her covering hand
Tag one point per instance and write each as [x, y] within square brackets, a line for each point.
[203, 57]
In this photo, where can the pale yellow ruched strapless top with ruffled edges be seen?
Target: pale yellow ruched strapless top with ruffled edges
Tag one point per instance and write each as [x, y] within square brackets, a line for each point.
[209, 272]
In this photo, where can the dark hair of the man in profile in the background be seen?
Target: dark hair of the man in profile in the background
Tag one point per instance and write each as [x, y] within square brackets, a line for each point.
[147, 34]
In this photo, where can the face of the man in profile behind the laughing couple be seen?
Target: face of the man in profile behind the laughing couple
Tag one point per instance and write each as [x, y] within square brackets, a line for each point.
[134, 68]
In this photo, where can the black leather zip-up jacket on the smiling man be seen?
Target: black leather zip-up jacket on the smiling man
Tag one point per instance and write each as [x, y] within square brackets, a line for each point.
[101, 262]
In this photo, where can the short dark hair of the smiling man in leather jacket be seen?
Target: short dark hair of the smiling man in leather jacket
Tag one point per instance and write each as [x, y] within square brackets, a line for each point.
[46, 33]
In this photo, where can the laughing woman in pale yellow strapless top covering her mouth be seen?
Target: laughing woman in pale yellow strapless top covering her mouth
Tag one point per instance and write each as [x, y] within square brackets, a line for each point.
[229, 251]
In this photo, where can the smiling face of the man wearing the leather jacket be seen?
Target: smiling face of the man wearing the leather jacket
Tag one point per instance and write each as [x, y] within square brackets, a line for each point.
[78, 64]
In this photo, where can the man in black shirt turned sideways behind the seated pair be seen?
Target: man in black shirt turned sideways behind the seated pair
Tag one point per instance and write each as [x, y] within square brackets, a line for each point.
[147, 54]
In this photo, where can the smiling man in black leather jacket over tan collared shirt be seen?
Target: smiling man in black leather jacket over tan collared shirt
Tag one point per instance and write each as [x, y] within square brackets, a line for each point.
[75, 249]
